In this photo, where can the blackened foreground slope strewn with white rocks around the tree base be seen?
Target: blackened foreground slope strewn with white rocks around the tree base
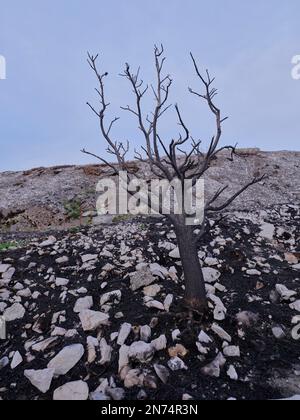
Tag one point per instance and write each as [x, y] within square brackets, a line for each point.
[97, 314]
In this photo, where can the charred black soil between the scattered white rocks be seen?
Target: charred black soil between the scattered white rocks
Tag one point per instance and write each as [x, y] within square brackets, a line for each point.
[267, 368]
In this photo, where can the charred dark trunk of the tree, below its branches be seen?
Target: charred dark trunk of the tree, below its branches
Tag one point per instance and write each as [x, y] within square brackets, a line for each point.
[195, 292]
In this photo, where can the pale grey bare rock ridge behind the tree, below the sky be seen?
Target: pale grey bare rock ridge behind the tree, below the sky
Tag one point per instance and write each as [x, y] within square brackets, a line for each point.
[44, 198]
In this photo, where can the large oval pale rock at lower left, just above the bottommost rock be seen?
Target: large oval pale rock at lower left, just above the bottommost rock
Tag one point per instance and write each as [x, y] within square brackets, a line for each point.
[66, 359]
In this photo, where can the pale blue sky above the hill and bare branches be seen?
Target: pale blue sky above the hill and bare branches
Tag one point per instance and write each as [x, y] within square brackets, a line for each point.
[247, 45]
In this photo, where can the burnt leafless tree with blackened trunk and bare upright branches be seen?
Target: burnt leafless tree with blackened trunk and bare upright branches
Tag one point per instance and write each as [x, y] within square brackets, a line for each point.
[168, 160]
